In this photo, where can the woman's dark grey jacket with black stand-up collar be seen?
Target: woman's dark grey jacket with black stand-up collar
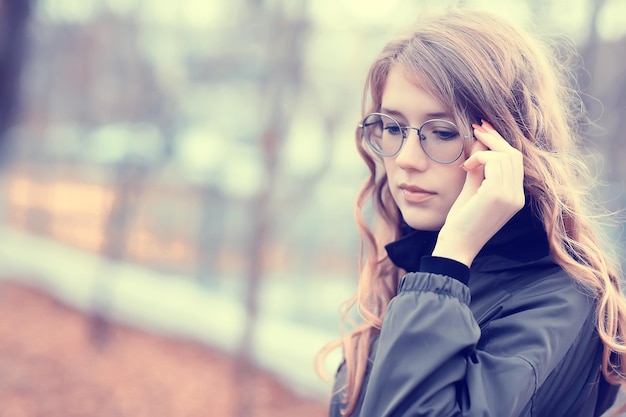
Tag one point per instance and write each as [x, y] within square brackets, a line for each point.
[513, 336]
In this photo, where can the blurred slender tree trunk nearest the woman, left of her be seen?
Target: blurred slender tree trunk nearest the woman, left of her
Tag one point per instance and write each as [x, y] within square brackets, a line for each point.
[286, 45]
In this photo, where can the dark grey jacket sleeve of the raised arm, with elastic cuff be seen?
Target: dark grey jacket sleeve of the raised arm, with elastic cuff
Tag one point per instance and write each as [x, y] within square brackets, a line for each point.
[431, 359]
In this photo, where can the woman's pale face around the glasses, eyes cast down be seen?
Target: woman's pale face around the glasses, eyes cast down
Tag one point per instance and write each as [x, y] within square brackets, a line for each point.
[423, 189]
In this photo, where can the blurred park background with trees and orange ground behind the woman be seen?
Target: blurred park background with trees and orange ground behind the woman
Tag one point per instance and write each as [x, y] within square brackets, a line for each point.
[176, 231]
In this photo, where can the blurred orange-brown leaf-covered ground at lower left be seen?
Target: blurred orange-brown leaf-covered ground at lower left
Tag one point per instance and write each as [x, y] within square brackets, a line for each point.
[51, 365]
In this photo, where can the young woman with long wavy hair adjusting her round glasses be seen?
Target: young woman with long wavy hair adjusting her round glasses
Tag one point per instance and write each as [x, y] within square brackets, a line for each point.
[484, 290]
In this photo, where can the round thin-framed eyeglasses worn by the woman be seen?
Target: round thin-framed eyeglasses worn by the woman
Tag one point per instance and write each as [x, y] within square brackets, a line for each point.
[440, 139]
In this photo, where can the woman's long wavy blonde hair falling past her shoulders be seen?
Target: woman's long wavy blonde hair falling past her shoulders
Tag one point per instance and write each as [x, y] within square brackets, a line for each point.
[482, 67]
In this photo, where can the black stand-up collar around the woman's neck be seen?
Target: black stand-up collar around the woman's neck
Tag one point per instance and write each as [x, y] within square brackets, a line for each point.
[522, 239]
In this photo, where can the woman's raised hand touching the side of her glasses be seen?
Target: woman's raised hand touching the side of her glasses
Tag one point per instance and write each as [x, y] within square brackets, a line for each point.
[493, 192]
